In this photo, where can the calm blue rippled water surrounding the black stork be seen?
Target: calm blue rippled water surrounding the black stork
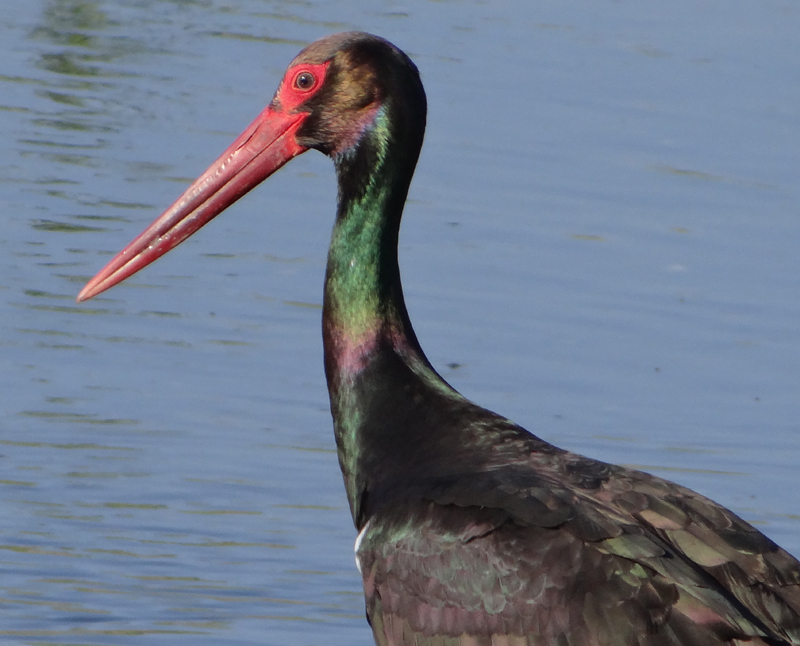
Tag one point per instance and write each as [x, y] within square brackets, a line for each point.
[601, 243]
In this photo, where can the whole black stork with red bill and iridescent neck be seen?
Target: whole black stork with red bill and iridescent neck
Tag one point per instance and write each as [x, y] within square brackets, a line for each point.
[471, 530]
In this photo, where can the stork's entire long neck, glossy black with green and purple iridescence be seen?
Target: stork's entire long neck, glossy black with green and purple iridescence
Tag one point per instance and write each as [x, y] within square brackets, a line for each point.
[372, 357]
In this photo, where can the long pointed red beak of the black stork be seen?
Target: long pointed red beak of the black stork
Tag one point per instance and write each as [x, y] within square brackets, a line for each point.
[266, 145]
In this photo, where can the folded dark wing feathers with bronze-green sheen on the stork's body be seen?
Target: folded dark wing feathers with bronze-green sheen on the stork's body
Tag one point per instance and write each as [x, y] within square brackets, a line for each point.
[616, 558]
